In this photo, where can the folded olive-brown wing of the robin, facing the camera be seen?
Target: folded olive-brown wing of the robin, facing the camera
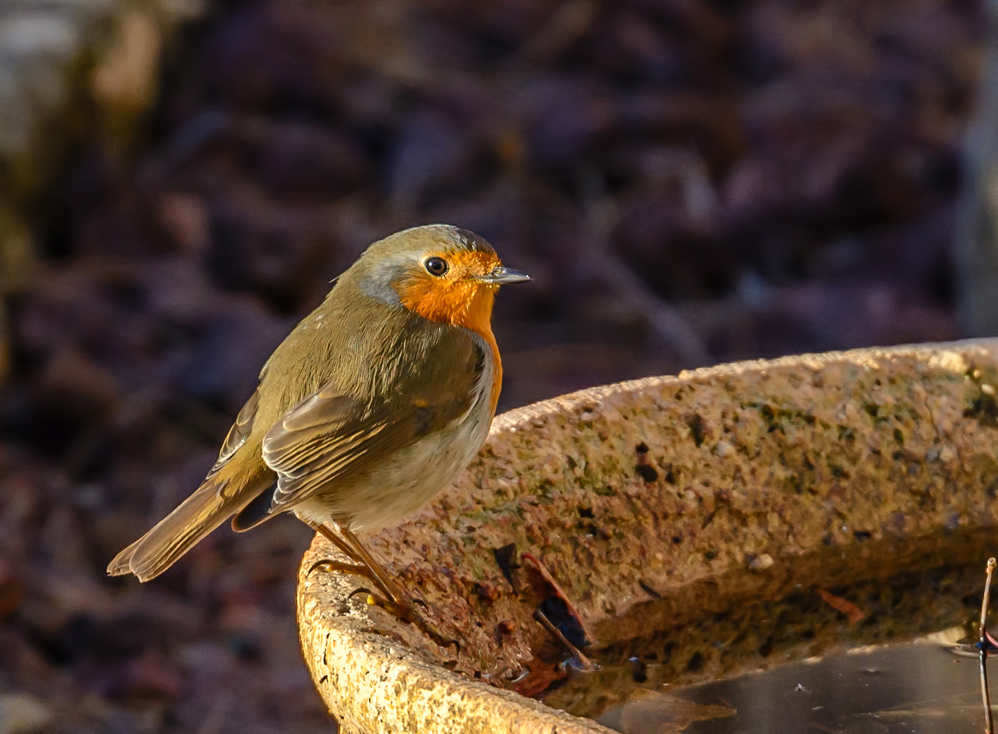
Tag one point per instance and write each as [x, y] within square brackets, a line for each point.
[329, 435]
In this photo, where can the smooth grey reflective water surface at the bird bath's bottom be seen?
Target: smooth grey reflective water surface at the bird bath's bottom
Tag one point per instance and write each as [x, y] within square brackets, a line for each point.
[905, 687]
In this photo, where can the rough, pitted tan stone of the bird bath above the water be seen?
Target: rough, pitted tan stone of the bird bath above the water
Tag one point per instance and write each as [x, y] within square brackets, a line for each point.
[640, 491]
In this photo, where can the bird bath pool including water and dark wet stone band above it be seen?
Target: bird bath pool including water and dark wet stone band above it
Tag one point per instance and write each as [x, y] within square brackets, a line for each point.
[791, 653]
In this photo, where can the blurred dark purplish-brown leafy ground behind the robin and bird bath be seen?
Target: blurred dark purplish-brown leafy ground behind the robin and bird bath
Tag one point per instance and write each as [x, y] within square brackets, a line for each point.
[687, 181]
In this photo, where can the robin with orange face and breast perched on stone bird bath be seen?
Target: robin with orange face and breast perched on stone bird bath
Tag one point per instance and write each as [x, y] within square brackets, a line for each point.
[368, 409]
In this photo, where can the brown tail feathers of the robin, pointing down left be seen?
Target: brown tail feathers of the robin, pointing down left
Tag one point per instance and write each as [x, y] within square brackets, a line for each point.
[182, 529]
